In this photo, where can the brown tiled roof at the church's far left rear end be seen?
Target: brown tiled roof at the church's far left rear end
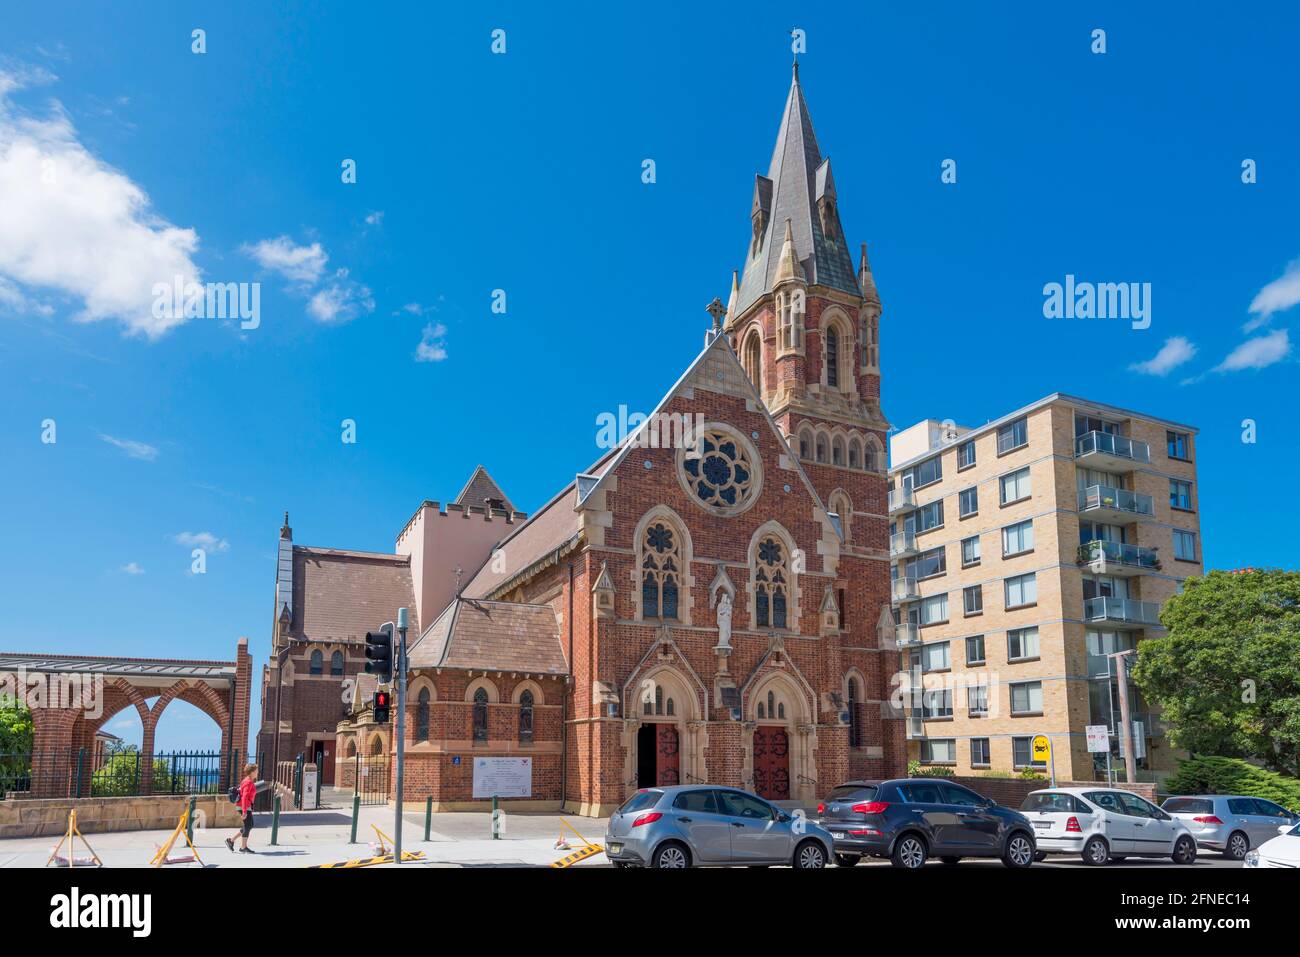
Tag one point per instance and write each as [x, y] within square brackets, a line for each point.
[344, 595]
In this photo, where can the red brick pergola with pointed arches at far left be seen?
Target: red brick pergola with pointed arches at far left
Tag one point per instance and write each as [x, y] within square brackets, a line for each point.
[66, 729]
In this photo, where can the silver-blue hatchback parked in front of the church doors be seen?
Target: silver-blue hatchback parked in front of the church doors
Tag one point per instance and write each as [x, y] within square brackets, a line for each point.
[697, 826]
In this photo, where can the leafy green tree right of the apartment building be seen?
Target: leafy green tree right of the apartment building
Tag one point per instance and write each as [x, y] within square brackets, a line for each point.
[1228, 673]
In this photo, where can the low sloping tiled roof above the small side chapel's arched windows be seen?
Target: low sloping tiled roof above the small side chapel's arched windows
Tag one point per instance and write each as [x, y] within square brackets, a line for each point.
[499, 636]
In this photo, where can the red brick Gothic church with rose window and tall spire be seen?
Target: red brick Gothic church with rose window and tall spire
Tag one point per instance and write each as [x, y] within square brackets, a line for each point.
[705, 610]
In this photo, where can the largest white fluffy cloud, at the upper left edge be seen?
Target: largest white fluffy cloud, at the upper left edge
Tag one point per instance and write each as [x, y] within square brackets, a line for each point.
[75, 224]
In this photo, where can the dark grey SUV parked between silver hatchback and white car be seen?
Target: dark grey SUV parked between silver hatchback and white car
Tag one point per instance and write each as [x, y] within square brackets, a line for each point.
[913, 820]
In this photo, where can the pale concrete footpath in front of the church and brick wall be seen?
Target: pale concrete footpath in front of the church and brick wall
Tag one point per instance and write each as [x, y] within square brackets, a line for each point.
[322, 837]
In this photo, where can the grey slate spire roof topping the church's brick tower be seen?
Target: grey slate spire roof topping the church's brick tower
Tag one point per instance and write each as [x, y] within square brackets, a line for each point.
[799, 188]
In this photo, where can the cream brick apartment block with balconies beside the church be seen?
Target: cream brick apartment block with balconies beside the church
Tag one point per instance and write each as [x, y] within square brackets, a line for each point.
[1024, 555]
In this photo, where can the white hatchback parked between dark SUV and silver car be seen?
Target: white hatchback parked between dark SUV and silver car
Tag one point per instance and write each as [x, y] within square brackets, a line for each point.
[1104, 825]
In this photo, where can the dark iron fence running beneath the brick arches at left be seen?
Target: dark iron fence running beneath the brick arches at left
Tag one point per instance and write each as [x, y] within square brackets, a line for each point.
[90, 773]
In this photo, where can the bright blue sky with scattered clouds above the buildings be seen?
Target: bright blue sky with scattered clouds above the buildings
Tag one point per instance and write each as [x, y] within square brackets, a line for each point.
[522, 172]
